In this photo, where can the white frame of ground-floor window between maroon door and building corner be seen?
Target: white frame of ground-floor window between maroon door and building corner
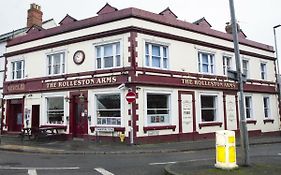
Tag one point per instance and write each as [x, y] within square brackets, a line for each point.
[94, 97]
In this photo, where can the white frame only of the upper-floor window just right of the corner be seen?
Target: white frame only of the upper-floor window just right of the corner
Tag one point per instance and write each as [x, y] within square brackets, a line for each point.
[148, 63]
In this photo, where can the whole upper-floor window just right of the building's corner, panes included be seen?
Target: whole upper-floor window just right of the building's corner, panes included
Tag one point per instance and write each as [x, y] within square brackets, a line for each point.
[156, 56]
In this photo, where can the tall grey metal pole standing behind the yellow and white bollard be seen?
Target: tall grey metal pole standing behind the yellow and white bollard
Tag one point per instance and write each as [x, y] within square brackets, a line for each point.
[243, 122]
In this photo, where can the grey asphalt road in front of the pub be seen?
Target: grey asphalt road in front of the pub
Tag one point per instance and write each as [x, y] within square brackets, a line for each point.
[115, 164]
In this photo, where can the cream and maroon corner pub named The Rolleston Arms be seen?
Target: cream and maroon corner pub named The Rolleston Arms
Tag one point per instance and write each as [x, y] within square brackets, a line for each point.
[76, 76]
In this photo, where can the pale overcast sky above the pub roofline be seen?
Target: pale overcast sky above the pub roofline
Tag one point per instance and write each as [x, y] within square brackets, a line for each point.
[256, 17]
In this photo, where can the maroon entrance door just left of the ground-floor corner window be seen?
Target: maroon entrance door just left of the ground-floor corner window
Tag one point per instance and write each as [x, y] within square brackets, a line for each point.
[79, 116]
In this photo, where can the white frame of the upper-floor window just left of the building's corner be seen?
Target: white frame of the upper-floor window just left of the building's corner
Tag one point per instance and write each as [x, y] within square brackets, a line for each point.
[114, 54]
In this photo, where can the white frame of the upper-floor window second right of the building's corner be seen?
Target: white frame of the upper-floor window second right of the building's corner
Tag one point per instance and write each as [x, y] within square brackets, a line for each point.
[211, 67]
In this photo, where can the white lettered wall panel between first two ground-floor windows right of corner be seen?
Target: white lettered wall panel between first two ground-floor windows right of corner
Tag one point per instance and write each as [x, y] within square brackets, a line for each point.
[187, 113]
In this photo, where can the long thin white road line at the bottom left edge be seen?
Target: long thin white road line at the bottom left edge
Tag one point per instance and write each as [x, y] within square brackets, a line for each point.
[38, 168]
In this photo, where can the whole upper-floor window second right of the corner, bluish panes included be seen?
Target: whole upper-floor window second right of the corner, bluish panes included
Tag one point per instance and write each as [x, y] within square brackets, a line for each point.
[206, 63]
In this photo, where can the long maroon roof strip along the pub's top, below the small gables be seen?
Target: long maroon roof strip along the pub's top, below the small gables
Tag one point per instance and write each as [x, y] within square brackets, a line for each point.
[135, 13]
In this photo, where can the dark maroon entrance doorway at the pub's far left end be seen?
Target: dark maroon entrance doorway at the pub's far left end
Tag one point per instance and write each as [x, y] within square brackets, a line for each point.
[15, 119]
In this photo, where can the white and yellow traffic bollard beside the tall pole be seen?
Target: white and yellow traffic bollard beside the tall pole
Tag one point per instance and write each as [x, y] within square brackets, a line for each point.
[225, 150]
